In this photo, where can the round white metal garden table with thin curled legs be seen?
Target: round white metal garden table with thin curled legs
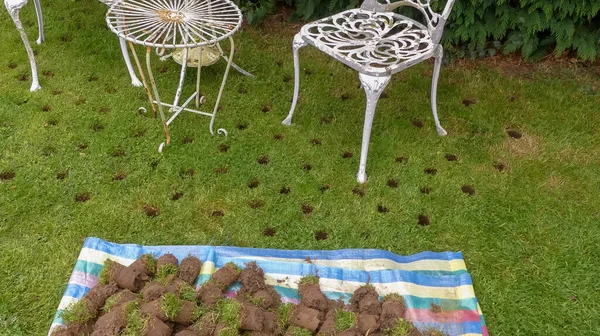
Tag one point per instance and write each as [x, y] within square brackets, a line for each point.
[189, 25]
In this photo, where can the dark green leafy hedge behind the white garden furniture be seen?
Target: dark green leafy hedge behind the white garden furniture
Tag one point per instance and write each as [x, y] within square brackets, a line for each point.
[478, 28]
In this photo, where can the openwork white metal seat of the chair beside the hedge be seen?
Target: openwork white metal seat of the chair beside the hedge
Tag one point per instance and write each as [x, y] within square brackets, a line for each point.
[374, 43]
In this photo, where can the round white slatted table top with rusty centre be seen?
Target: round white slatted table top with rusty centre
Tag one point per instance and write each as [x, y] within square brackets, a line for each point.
[174, 23]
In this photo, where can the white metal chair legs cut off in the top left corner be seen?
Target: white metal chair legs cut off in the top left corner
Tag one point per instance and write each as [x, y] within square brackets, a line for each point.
[14, 8]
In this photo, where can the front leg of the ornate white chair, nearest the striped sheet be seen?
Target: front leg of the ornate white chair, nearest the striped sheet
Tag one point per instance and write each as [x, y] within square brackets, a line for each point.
[373, 87]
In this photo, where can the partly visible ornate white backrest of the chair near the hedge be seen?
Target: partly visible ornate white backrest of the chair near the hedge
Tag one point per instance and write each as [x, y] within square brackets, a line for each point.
[435, 21]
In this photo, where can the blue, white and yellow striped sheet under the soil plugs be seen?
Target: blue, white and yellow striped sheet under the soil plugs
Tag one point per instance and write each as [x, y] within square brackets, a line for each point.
[423, 279]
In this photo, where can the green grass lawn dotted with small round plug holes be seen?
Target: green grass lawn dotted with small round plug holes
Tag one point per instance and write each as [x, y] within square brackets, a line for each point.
[530, 232]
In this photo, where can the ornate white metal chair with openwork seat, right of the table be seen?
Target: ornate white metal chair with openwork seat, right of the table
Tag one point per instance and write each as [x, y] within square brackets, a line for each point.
[377, 43]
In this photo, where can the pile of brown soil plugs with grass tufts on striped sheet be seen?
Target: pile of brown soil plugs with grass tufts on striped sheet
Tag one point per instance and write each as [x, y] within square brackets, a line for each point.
[158, 298]
